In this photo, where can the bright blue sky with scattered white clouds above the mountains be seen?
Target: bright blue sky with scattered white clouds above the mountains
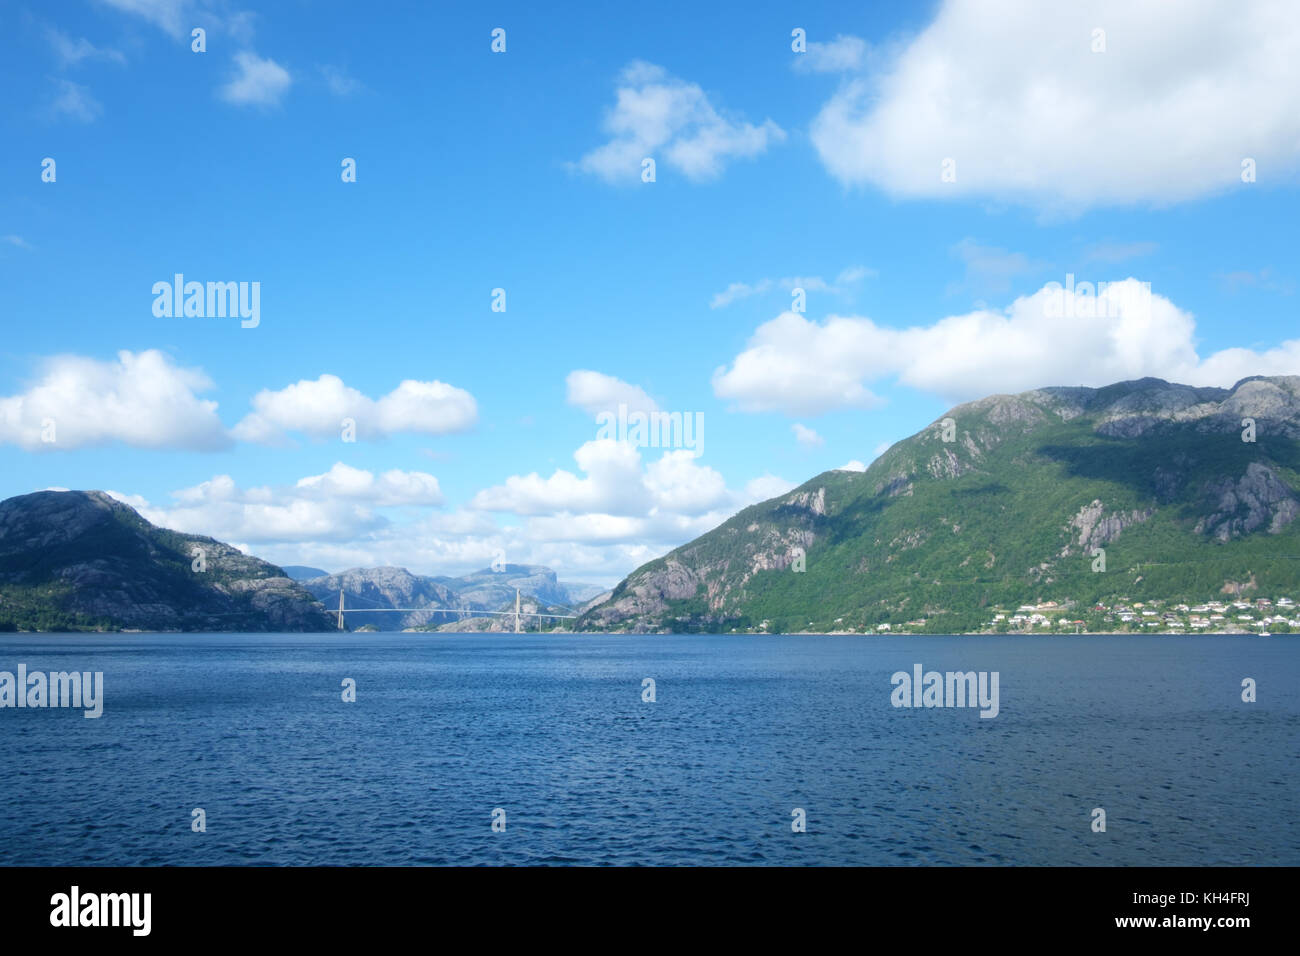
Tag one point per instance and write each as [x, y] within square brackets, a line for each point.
[522, 171]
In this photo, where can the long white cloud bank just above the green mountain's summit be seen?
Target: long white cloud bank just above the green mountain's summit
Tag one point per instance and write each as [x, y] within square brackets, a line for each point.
[1054, 338]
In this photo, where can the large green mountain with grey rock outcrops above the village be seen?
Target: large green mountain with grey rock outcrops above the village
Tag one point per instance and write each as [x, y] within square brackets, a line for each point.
[1007, 501]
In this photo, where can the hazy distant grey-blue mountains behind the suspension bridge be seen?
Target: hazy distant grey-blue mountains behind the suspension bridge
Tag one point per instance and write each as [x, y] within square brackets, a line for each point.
[480, 591]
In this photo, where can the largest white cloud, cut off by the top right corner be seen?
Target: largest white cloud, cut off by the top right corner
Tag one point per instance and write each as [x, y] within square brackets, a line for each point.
[1016, 97]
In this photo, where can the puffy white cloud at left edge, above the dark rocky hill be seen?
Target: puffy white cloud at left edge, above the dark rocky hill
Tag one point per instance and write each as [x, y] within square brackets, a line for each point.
[141, 399]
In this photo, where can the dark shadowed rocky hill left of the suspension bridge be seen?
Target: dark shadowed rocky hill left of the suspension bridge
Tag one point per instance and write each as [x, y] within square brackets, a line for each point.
[83, 560]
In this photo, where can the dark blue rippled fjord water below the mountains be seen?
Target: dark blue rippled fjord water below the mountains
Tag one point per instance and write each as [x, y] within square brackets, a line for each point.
[553, 729]
